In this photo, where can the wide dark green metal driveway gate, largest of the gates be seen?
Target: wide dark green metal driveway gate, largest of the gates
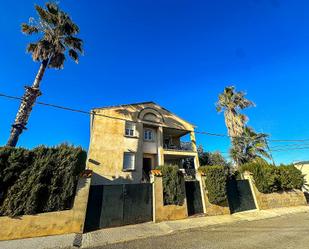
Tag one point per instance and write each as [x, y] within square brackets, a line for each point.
[118, 205]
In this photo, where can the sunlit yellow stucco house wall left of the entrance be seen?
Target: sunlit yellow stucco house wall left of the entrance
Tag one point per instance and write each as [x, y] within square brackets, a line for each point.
[107, 145]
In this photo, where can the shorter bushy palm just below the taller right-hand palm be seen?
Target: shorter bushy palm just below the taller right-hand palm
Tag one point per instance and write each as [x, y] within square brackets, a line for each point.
[249, 146]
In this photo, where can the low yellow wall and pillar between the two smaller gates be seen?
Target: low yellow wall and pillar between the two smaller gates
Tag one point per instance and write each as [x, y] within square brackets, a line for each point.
[213, 209]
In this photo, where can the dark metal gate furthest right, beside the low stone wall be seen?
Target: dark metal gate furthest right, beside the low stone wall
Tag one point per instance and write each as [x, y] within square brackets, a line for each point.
[240, 195]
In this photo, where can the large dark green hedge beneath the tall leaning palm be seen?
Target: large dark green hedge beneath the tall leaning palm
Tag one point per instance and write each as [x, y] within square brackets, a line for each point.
[39, 180]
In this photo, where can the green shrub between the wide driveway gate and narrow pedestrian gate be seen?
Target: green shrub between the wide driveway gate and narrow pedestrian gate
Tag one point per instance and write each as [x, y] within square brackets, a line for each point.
[173, 185]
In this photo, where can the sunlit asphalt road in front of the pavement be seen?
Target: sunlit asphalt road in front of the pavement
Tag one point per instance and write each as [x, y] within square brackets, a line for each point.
[290, 231]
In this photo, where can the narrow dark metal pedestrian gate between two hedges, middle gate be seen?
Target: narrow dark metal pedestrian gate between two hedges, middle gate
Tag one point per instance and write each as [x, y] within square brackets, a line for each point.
[194, 197]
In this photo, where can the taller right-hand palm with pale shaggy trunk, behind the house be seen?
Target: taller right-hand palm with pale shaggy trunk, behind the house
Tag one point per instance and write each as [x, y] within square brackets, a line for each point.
[231, 102]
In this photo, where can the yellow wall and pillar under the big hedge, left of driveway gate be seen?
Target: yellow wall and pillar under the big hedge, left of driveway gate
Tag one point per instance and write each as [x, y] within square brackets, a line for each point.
[52, 223]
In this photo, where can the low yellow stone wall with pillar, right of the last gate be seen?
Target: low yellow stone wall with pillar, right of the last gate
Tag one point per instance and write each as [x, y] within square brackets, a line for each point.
[275, 200]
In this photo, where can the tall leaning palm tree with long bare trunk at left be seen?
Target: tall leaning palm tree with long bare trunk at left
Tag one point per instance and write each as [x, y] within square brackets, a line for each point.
[57, 38]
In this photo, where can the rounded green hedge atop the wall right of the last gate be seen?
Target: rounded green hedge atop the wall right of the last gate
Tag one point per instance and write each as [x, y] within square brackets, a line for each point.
[269, 178]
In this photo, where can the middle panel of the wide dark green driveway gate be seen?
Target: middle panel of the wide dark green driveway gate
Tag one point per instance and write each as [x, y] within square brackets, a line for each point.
[112, 206]
